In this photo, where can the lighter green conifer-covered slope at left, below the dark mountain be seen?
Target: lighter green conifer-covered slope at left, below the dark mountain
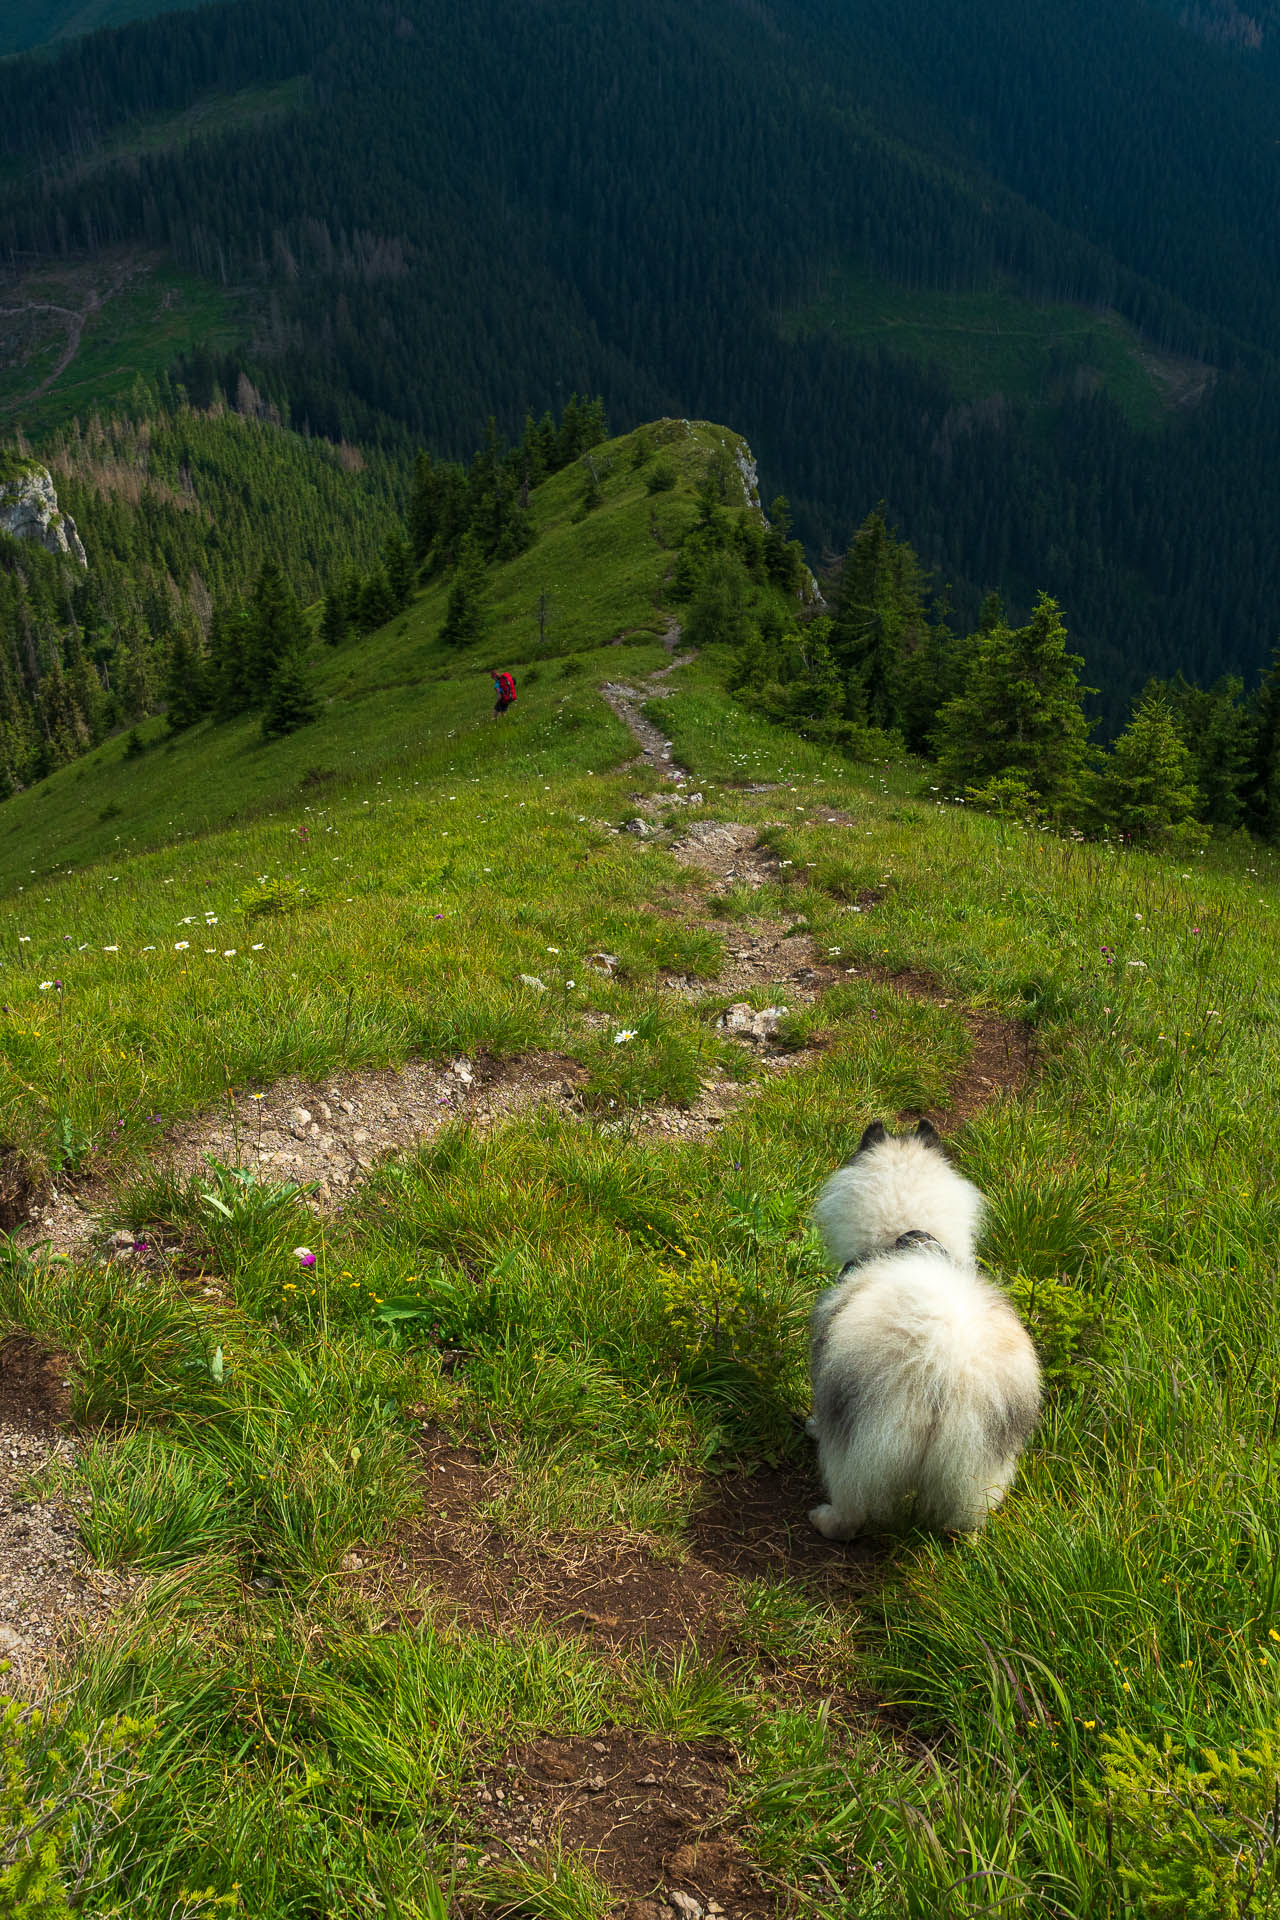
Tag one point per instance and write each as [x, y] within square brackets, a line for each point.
[179, 512]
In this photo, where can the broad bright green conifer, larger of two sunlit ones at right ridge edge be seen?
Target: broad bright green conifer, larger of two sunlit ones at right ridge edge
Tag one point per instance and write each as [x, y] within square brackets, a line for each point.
[1022, 715]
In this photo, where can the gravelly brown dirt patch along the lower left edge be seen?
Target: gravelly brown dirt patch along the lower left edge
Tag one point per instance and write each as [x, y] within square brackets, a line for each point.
[47, 1589]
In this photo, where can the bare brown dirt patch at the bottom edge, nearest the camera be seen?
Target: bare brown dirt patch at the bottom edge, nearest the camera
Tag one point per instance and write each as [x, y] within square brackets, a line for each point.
[648, 1815]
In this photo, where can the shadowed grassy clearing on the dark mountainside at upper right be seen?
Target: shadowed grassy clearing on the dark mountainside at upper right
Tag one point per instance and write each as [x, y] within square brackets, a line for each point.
[997, 341]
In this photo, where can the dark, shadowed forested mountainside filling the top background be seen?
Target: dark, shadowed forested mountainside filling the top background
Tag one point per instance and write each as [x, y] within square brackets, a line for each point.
[1003, 272]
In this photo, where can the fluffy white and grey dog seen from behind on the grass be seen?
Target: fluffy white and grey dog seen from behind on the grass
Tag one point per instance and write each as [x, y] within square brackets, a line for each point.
[926, 1381]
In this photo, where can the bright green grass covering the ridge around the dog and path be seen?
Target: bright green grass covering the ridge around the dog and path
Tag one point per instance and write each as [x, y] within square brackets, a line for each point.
[611, 1320]
